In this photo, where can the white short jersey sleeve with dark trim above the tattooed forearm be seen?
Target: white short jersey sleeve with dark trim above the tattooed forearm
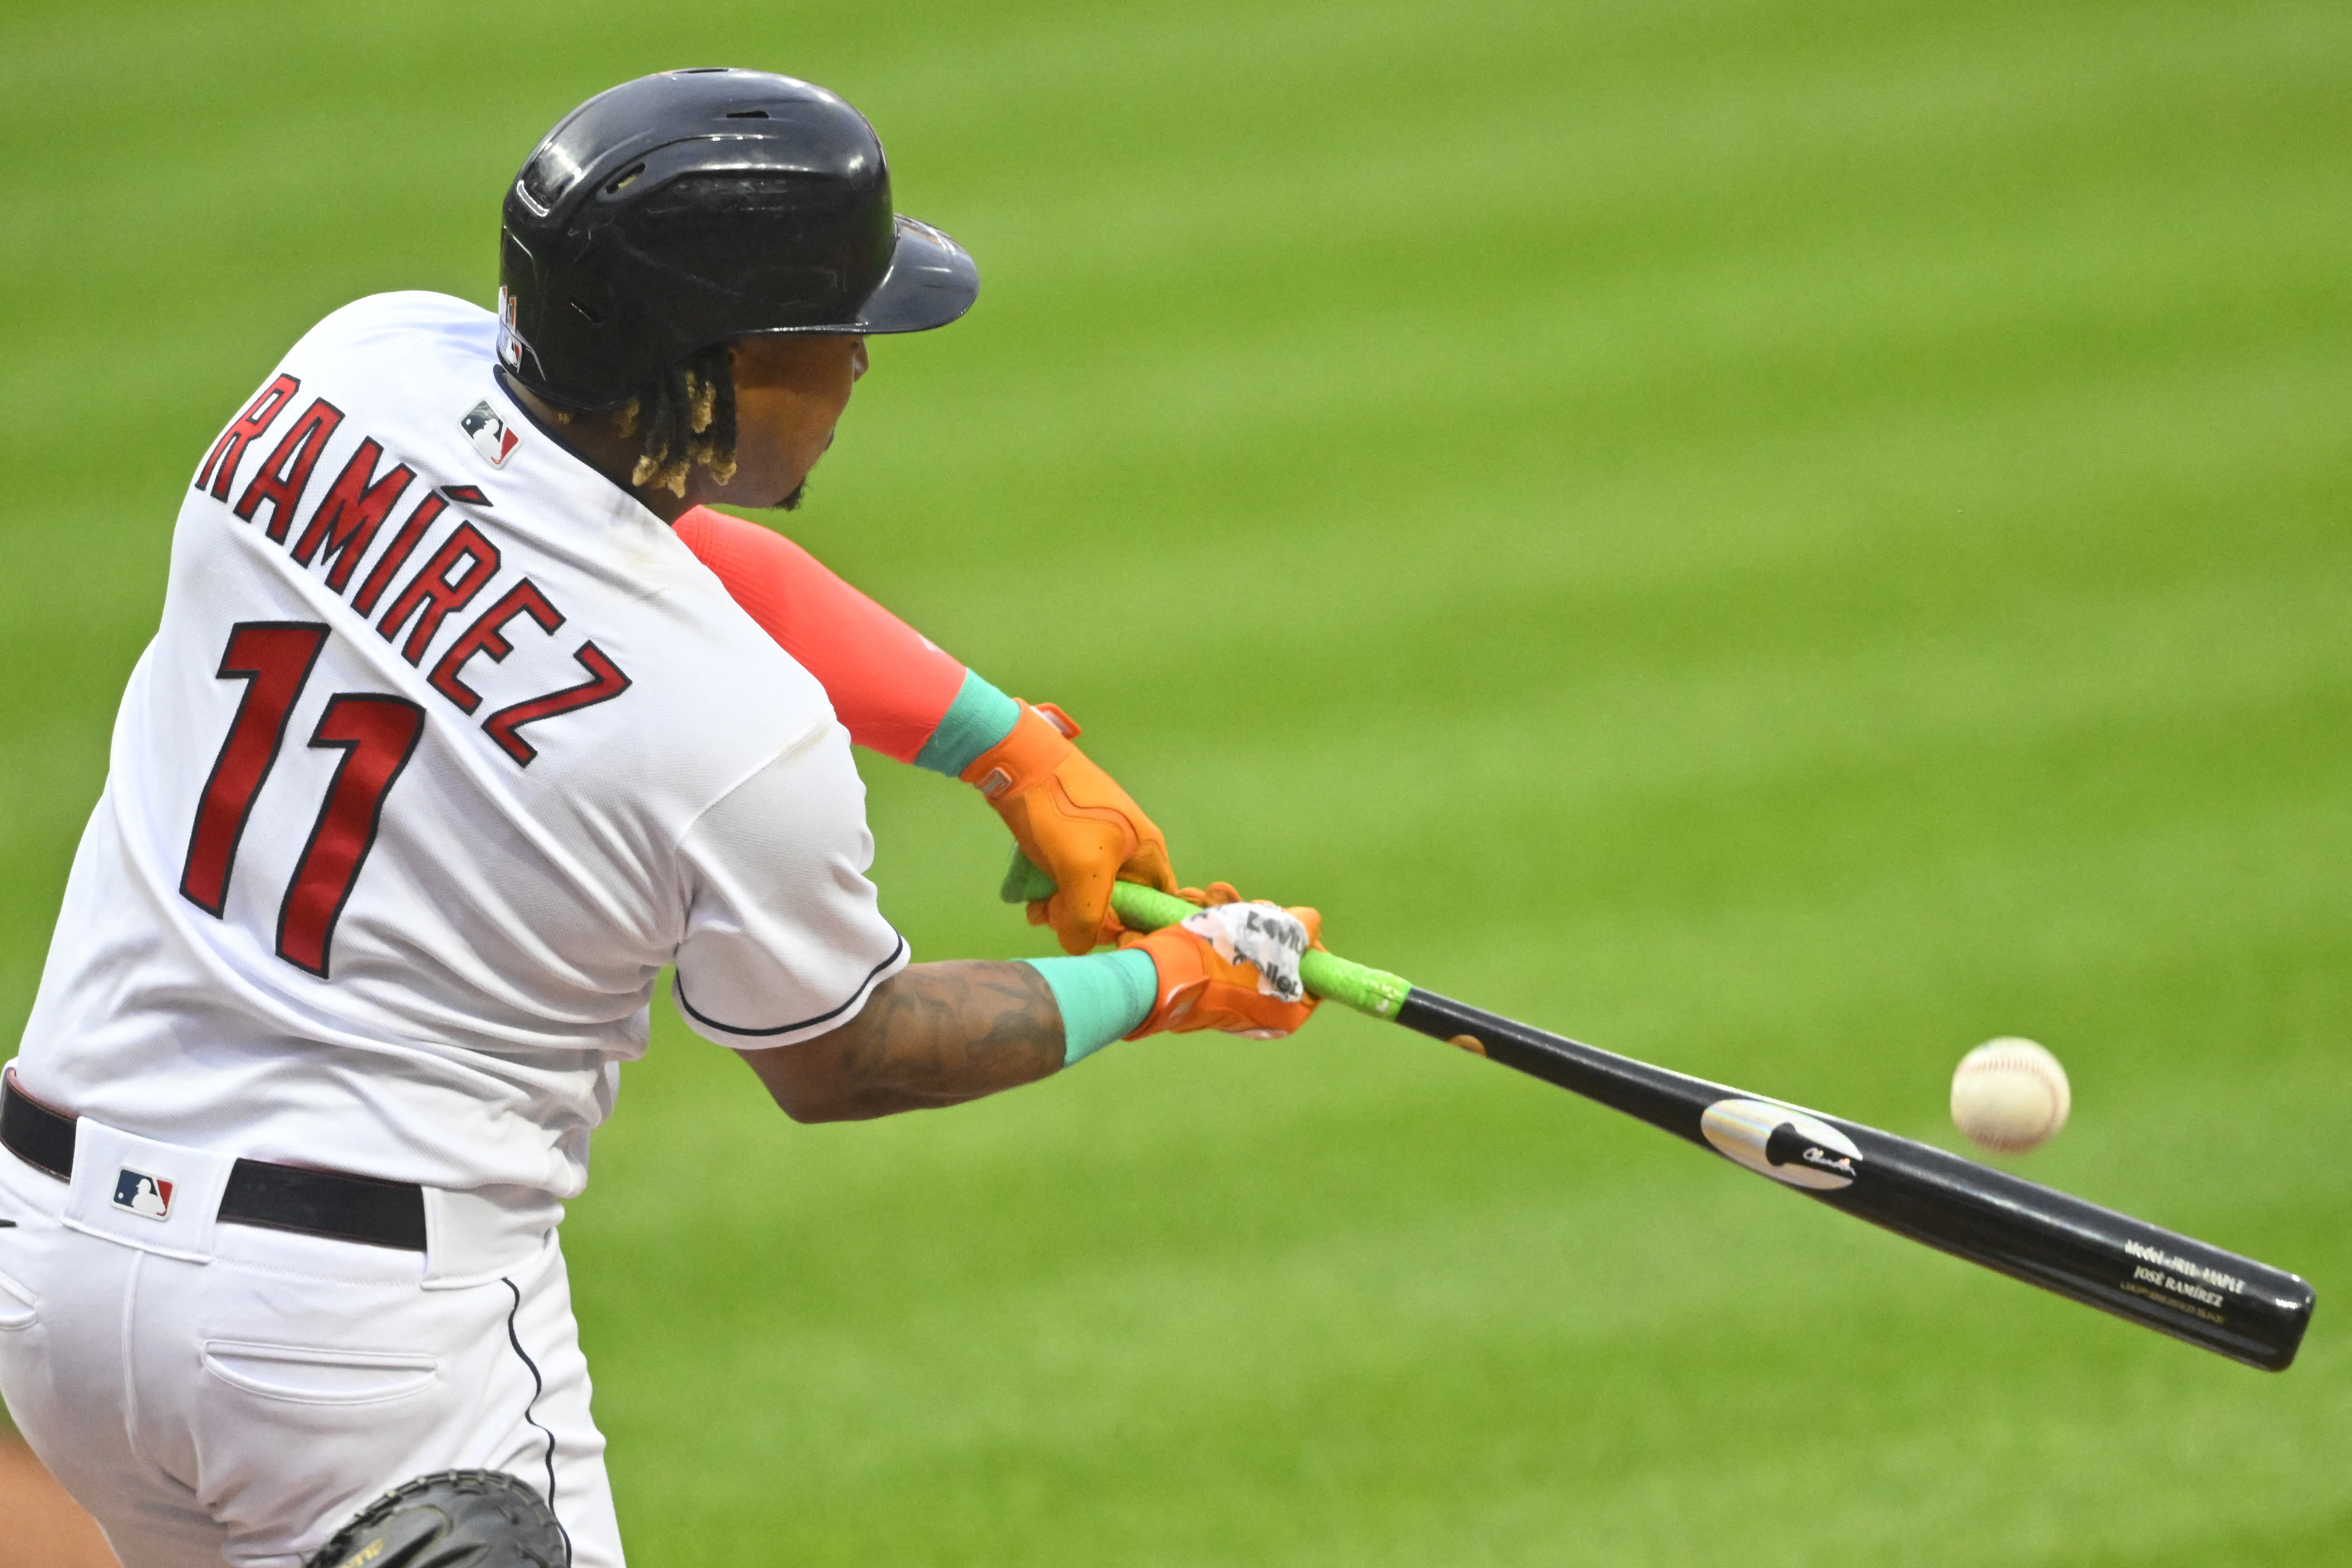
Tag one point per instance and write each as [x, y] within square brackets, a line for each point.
[784, 934]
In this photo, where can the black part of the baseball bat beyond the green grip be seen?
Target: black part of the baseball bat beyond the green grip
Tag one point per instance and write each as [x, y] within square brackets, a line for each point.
[2153, 1278]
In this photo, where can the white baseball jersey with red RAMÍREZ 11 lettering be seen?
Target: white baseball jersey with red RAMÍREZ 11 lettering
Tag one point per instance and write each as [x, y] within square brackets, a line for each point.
[443, 751]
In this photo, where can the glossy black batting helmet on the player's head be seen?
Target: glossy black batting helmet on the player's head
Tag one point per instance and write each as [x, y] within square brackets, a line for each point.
[690, 208]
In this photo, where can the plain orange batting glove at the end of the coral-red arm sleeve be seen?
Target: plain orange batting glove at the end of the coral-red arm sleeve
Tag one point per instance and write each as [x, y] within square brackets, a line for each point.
[1074, 822]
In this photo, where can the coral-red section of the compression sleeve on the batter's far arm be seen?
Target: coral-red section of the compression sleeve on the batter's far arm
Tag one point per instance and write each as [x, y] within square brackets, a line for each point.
[888, 683]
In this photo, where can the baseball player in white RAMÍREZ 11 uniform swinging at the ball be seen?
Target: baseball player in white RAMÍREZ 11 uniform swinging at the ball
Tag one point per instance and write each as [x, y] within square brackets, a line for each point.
[448, 744]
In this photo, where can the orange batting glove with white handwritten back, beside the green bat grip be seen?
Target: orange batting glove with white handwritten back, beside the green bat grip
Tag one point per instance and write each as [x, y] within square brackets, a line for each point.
[1234, 967]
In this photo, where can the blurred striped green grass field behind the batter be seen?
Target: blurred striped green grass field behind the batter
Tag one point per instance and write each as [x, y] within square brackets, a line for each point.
[1784, 537]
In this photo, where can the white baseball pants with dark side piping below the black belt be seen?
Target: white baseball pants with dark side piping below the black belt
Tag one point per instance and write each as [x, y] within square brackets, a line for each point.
[243, 1400]
